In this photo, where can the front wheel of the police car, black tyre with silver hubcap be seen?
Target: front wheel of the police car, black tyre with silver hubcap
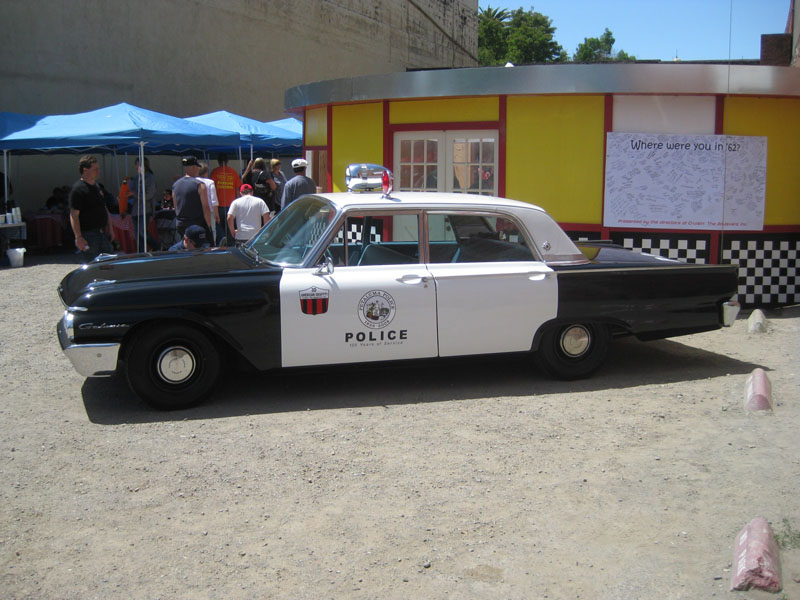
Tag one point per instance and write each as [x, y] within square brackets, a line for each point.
[172, 367]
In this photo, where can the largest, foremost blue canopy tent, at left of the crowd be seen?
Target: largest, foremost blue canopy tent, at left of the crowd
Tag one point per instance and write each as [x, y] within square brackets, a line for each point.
[118, 128]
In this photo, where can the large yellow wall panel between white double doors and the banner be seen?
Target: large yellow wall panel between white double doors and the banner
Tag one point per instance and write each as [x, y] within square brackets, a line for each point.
[554, 155]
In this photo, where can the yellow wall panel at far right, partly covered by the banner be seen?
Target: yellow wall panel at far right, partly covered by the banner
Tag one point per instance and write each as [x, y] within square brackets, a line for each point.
[778, 119]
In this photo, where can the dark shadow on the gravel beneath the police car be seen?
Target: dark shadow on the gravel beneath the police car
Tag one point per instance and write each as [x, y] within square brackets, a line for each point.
[631, 363]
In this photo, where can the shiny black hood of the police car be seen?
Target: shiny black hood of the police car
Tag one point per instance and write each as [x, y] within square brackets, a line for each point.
[151, 269]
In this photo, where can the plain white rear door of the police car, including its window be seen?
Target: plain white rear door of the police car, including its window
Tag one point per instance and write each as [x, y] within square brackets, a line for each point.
[492, 292]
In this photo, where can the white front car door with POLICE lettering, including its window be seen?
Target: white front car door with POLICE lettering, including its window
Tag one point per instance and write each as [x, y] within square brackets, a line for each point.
[373, 301]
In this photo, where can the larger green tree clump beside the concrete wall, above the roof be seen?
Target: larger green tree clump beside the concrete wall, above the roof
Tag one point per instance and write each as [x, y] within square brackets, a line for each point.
[521, 37]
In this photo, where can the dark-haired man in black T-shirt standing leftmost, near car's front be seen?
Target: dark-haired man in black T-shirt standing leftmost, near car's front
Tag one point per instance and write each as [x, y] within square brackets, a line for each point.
[88, 213]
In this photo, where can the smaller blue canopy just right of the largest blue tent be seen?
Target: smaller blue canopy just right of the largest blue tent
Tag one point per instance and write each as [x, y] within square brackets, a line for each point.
[256, 134]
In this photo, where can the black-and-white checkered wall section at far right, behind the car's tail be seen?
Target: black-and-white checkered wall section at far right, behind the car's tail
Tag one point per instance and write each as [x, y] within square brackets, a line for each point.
[769, 268]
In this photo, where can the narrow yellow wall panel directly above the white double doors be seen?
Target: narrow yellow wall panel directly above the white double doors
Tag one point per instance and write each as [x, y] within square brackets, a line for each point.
[443, 111]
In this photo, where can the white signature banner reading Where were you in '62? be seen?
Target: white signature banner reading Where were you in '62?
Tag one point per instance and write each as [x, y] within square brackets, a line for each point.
[664, 181]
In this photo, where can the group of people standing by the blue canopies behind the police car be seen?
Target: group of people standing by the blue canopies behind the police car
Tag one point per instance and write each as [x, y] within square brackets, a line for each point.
[201, 209]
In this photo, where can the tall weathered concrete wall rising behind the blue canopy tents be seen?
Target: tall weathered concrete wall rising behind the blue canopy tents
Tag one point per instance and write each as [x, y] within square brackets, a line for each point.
[189, 57]
